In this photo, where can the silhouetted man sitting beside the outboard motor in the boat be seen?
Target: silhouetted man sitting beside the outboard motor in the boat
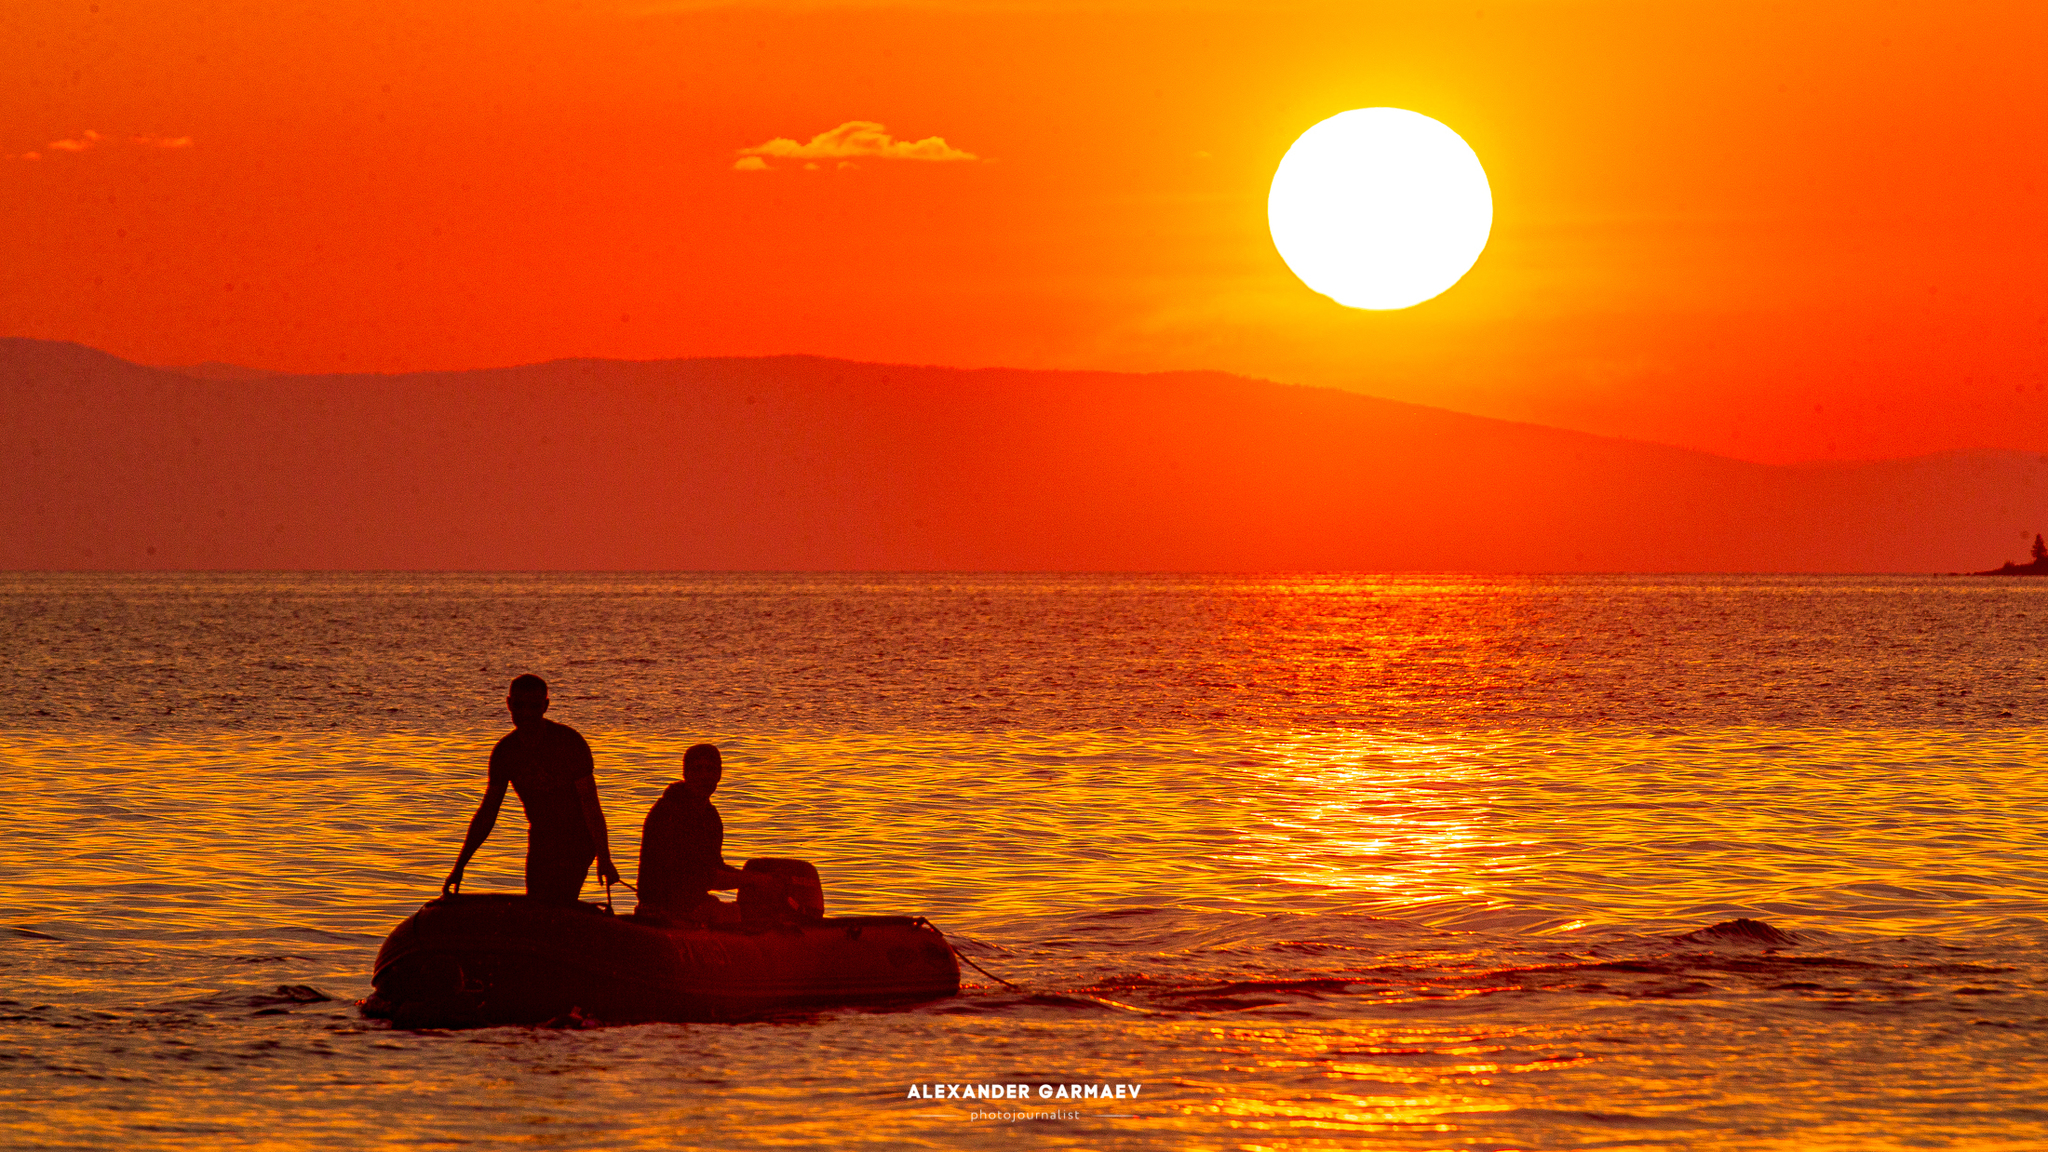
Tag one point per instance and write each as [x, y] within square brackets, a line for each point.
[683, 848]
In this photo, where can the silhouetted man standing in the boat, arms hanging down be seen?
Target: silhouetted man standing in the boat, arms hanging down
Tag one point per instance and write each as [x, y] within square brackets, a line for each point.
[550, 768]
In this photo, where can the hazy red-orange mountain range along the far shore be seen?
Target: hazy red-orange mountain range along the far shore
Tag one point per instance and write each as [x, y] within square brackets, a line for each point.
[814, 464]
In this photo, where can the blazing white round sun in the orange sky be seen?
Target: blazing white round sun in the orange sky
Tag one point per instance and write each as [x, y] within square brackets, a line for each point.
[1379, 208]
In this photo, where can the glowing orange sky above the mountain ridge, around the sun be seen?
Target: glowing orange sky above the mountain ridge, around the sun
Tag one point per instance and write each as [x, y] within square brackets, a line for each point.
[1770, 231]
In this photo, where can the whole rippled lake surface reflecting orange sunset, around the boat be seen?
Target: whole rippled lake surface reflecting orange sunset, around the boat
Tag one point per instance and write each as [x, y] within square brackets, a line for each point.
[1322, 862]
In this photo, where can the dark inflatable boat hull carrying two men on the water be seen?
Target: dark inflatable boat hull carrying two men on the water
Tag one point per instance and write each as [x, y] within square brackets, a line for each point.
[511, 960]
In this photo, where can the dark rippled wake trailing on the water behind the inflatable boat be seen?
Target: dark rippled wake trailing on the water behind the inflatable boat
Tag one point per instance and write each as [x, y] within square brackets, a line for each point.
[1181, 962]
